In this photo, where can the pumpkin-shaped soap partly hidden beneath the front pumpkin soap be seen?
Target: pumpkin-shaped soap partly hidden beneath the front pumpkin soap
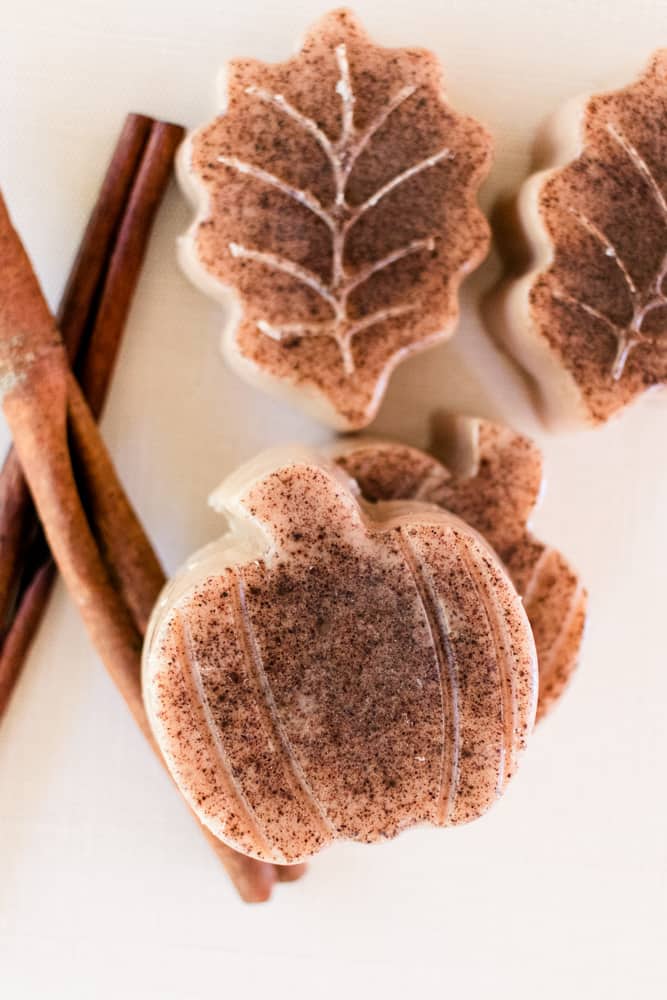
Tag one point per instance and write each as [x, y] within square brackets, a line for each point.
[491, 477]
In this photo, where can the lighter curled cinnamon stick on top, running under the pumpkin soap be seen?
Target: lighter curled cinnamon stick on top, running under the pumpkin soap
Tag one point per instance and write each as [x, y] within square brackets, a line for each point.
[54, 432]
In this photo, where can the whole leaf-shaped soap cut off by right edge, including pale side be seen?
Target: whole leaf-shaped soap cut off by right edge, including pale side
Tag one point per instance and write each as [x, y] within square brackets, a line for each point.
[589, 319]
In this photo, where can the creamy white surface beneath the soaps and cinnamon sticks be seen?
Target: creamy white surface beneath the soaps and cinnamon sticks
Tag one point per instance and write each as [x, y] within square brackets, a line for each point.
[106, 888]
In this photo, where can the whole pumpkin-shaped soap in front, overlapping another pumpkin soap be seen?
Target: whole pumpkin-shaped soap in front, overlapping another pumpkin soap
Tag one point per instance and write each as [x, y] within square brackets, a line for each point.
[332, 669]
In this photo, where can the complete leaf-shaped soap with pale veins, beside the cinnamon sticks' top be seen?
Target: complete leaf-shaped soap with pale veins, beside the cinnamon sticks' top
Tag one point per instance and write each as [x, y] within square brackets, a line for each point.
[337, 213]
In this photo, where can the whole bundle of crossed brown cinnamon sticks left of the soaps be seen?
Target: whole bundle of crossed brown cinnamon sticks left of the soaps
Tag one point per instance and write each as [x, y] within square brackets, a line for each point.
[61, 503]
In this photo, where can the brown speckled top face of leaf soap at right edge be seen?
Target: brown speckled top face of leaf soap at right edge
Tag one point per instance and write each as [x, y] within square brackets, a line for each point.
[602, 304]
